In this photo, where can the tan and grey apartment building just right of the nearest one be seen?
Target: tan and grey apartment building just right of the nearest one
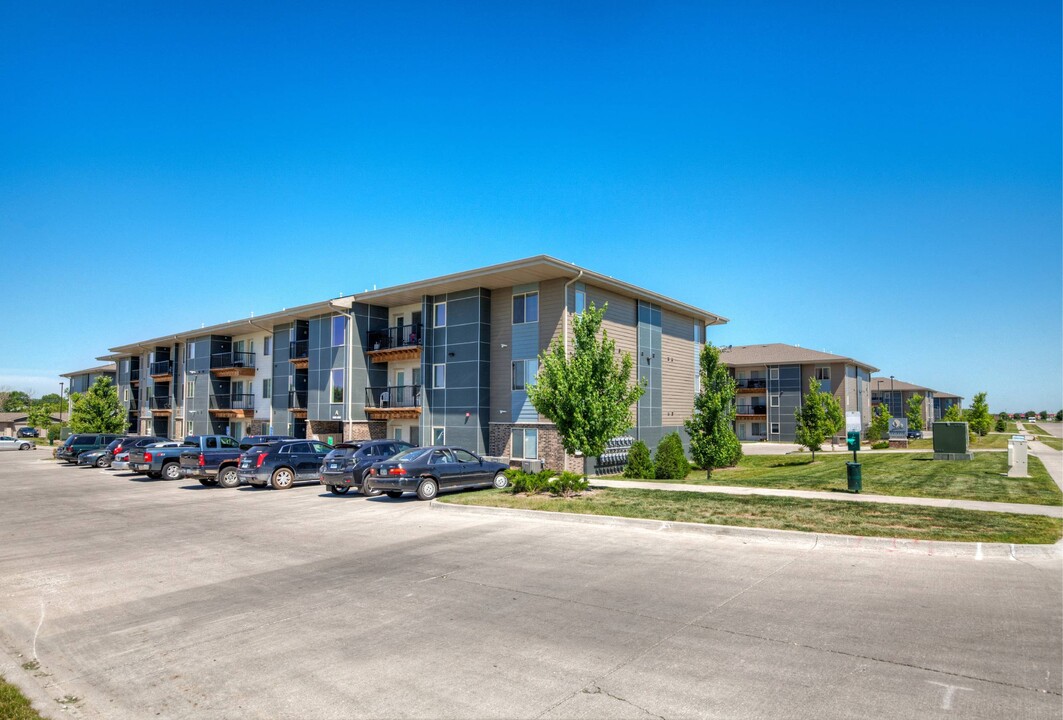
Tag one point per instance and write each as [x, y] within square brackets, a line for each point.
[772, 380]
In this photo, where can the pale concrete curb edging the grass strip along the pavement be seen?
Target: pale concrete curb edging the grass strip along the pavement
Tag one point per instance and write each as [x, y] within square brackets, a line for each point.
[976, 551]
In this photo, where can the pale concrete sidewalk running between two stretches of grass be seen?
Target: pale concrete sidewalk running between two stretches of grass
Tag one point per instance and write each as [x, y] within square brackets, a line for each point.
[1020, 509]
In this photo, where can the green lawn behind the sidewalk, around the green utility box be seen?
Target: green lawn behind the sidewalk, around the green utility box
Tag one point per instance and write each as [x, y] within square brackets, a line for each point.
[904, 475]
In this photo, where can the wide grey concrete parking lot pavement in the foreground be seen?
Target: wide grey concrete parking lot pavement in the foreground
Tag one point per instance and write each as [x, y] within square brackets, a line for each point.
[144, 598]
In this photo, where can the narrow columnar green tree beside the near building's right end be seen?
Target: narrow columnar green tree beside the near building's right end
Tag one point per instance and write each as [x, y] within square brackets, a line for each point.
[712, 428]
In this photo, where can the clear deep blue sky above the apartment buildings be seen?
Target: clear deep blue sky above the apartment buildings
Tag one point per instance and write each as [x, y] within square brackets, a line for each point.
[876, 180]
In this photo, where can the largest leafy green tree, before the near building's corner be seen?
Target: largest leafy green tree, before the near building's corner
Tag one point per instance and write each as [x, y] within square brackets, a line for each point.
[588, 396]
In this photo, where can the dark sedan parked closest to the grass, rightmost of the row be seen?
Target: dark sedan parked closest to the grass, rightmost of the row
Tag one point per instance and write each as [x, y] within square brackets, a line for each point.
[429, 472]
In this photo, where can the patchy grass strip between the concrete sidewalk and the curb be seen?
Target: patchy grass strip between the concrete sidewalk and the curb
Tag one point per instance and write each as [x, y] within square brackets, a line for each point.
[813, 516]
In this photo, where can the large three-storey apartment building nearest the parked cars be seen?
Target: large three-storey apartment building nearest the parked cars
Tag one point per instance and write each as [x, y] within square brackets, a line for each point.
[446, 360]
